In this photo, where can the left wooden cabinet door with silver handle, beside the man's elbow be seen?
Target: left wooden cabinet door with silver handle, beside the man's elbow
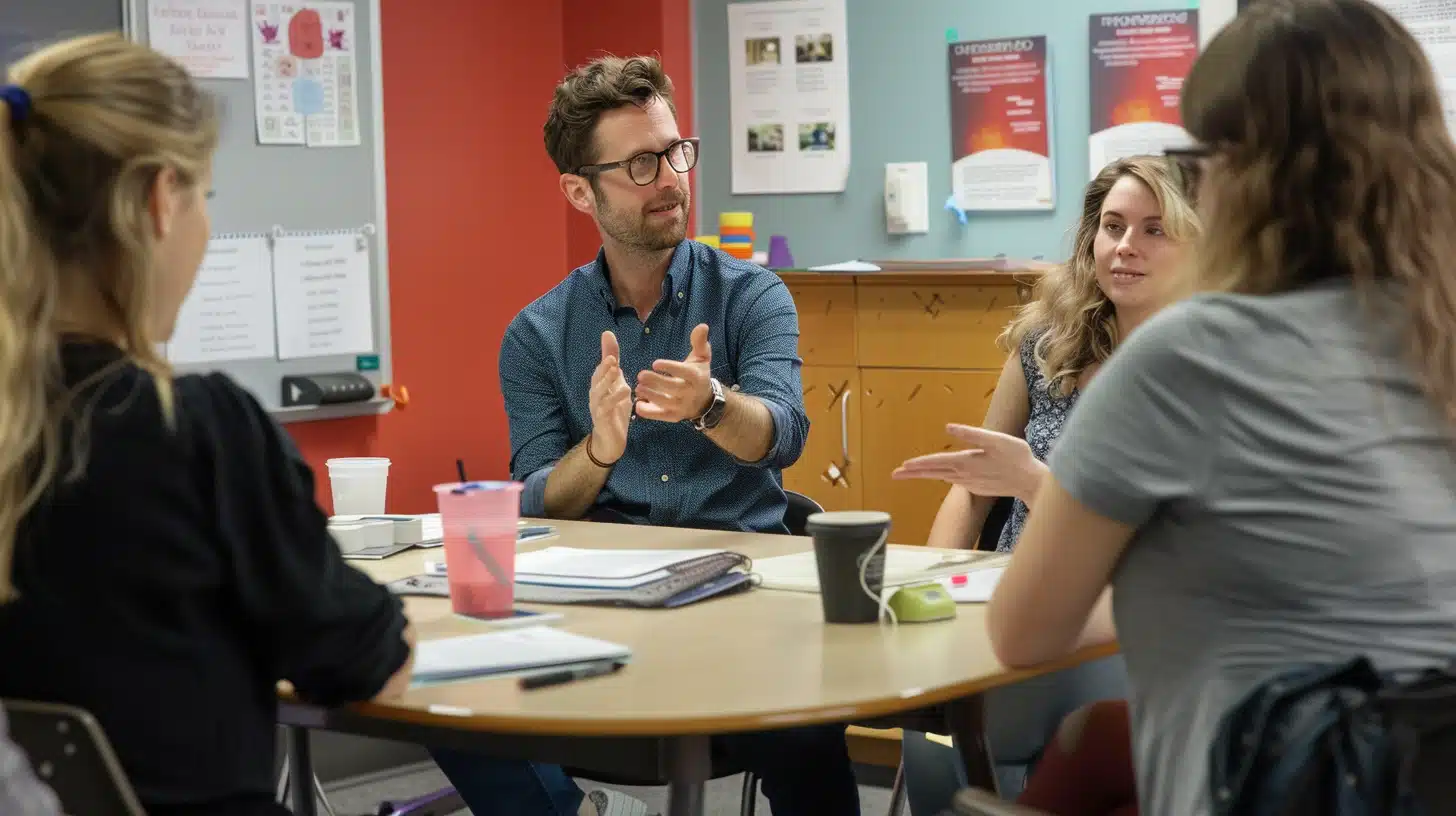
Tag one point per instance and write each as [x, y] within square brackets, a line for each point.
[828, 471]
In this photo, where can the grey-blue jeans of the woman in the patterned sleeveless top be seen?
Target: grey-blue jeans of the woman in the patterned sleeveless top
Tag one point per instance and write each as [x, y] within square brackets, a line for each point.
[1020, 722]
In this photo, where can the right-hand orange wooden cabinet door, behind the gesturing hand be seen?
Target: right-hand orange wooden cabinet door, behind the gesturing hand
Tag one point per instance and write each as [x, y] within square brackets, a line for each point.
[906, 412]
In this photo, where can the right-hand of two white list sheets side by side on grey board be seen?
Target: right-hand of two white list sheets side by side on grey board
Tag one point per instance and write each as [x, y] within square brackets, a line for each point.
[324, 295]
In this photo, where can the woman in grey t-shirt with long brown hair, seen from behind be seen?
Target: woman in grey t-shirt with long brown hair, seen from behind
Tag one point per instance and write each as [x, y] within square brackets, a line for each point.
[1266, 476]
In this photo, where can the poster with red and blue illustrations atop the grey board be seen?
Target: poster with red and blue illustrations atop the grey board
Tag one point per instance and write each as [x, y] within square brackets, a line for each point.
[306, 65]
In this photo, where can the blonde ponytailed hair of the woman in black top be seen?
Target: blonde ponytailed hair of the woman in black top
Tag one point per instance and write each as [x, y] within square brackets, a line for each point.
[78, 165]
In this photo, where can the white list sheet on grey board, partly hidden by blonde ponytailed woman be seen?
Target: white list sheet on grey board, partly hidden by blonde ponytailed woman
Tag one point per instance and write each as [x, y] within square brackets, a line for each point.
[229, 314]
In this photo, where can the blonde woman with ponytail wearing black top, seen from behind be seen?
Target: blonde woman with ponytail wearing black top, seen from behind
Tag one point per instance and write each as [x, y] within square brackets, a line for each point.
[162, 560]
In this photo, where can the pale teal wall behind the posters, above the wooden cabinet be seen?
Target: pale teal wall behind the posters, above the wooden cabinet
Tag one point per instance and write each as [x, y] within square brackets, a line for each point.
[901, 111]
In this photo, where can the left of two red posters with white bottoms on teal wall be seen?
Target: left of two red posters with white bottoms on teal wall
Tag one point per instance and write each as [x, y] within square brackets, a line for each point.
[1001, 125]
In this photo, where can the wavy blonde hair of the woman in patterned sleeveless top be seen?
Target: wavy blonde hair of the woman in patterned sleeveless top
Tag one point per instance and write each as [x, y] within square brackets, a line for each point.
[1075, 318]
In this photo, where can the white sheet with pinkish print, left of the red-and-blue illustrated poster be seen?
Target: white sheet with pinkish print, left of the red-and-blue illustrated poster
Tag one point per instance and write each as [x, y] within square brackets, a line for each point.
[209, 37]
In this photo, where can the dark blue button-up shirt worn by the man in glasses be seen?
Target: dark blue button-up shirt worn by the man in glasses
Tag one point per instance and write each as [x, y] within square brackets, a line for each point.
[672, 474]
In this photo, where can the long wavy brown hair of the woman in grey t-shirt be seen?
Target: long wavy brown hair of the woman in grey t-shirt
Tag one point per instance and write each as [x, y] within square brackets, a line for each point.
[1330, 160]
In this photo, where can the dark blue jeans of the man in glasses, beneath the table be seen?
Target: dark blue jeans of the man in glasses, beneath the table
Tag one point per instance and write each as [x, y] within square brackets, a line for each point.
[804, 773]
